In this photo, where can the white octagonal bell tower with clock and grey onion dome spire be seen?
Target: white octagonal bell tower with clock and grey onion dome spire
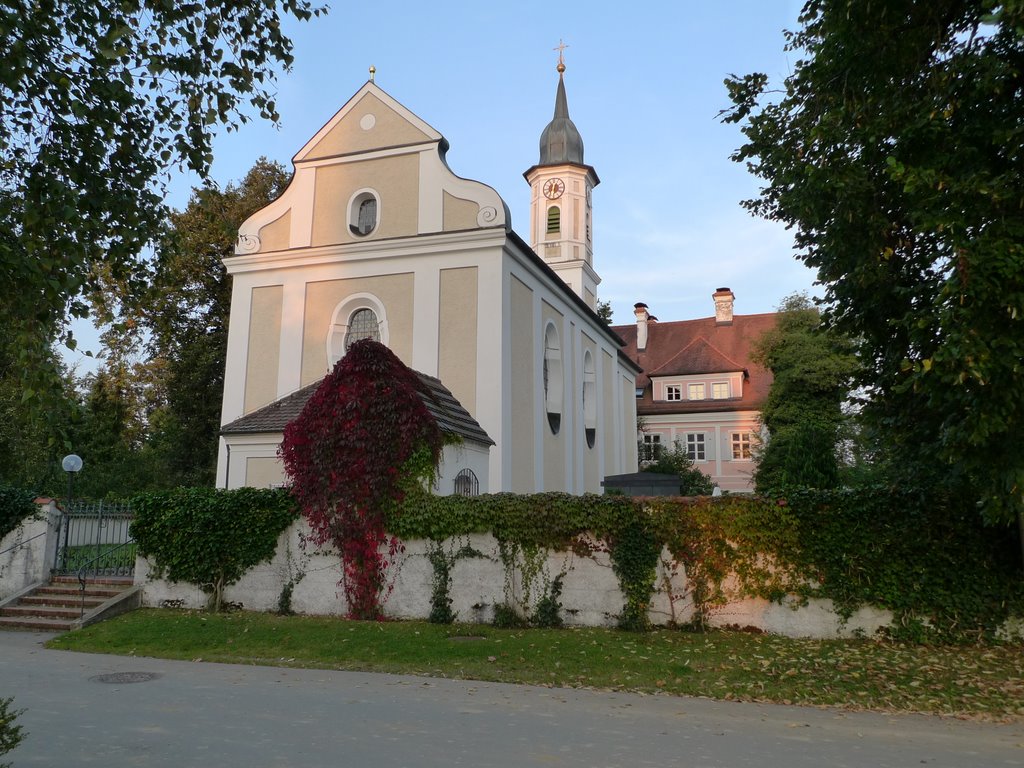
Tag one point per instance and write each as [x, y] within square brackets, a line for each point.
[561, 214]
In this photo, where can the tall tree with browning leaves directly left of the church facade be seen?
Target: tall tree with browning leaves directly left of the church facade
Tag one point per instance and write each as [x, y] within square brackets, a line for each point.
[186, 313]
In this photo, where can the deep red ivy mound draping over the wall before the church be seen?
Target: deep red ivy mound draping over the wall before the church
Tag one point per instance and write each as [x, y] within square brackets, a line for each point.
[363, 441]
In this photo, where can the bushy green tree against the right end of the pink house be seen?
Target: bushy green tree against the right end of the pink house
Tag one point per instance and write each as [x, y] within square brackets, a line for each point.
[813, 368]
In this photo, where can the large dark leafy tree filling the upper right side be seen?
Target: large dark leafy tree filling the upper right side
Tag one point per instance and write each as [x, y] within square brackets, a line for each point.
[894, 153]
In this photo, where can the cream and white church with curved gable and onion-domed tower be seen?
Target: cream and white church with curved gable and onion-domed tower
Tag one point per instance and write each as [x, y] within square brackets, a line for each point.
[376, 238]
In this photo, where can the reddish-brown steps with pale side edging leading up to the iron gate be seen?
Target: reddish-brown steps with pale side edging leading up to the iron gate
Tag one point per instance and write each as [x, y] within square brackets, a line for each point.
[60, 606]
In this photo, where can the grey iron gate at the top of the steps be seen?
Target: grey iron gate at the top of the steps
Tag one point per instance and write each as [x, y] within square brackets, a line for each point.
[96, 541]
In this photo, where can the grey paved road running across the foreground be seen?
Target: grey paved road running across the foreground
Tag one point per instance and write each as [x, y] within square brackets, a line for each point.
[196, 714]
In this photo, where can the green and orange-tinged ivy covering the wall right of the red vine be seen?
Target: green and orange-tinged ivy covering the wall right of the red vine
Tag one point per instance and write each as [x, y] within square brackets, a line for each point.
[928, 559]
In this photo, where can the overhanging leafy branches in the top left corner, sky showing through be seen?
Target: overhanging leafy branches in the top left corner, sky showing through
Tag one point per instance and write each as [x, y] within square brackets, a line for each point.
[97, 101]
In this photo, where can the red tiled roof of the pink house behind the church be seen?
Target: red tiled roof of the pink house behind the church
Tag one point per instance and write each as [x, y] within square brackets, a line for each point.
[700, 347]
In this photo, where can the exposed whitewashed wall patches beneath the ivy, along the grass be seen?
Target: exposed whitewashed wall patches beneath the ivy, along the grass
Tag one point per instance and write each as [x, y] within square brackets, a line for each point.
[590, 596]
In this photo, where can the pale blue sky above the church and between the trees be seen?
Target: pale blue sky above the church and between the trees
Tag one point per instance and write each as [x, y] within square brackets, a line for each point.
[646, 89]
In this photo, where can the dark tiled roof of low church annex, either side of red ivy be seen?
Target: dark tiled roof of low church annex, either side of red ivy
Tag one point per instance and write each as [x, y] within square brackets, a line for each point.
[448, 412]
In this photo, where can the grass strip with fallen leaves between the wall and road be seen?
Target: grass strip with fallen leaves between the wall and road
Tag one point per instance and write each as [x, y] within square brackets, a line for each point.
[970, 681]
